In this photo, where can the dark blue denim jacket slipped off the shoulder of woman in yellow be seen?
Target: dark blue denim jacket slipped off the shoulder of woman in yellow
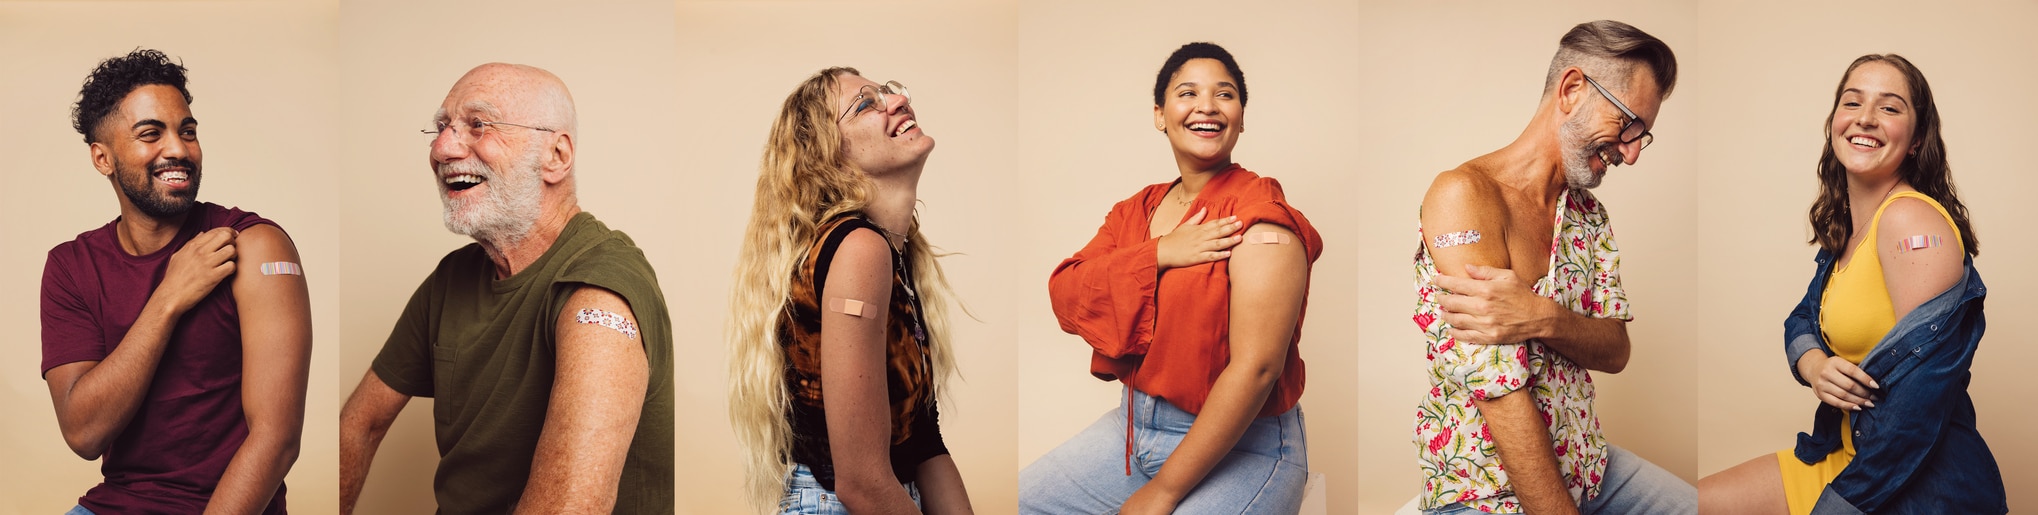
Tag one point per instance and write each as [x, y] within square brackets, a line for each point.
[1917, 451]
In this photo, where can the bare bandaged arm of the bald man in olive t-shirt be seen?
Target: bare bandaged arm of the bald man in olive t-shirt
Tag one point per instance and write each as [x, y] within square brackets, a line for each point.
[598, 398]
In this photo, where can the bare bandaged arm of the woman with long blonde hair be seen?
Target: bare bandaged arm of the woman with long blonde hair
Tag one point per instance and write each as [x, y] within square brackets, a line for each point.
[853, 378]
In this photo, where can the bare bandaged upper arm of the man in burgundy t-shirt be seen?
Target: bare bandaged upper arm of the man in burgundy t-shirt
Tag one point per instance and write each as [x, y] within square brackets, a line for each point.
[276, 335]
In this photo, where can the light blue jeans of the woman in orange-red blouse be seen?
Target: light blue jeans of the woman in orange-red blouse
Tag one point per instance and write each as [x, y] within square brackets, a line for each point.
[1265, 473]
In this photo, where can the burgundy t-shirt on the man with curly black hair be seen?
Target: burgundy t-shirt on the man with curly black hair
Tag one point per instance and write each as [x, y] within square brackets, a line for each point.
[189, 426]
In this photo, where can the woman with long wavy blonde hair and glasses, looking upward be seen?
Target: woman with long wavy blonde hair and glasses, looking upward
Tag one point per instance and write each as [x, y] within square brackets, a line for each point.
[835, 276]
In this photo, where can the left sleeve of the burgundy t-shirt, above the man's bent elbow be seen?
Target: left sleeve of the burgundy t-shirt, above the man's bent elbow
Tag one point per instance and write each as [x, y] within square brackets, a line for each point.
[70, 333]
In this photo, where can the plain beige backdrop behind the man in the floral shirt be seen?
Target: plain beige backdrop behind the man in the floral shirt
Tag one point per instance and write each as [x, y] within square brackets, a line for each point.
[1450, 84]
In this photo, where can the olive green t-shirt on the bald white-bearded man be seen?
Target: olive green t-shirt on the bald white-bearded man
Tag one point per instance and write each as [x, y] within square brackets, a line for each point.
[486, 353]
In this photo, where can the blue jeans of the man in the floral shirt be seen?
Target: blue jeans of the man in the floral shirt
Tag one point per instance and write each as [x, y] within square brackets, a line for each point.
[1631, 485]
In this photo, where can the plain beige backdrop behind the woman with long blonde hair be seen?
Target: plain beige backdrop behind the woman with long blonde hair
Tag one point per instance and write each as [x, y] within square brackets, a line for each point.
[739, 64]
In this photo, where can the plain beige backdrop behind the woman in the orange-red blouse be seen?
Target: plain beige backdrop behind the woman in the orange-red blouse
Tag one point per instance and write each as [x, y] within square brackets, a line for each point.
[1089, 144]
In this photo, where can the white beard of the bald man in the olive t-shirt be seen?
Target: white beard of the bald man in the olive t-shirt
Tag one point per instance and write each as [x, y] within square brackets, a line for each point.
[508, 209]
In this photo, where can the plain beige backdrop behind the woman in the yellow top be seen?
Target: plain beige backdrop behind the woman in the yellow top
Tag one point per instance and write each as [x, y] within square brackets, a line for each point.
[1768, 89]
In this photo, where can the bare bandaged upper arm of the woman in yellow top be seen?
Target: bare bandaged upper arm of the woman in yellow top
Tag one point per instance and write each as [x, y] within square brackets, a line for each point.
[1917, 276]
